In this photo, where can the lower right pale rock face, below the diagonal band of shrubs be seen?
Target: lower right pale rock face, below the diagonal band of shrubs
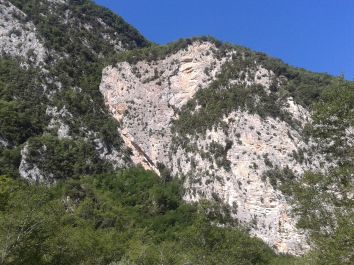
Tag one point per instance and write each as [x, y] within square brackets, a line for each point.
[256, 144]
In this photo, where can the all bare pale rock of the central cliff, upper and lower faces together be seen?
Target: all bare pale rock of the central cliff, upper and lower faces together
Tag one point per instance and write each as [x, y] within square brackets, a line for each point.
[146, 97]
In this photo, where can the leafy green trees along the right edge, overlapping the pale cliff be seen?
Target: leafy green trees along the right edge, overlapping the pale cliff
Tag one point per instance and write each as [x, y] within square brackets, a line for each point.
[324, 202]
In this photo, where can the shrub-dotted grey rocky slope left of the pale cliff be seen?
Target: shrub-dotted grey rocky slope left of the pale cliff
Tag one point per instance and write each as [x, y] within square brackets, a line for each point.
[57, 50]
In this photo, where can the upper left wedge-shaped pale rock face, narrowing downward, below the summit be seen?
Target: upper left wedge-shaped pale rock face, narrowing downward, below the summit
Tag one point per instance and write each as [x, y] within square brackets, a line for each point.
[145, 96]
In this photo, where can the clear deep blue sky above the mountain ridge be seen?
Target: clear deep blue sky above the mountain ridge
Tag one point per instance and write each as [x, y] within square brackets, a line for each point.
[317, 35]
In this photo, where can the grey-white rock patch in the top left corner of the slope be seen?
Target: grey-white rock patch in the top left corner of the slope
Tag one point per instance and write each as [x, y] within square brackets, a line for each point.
[18, 38]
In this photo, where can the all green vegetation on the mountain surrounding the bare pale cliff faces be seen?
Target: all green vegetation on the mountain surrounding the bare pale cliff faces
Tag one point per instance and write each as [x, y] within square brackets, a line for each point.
[88, 204]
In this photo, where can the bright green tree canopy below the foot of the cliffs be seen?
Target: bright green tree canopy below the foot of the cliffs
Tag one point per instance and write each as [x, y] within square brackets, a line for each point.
[130, 217]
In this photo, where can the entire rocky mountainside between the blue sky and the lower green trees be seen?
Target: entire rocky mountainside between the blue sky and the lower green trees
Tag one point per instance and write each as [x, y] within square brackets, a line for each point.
[239, 128]
